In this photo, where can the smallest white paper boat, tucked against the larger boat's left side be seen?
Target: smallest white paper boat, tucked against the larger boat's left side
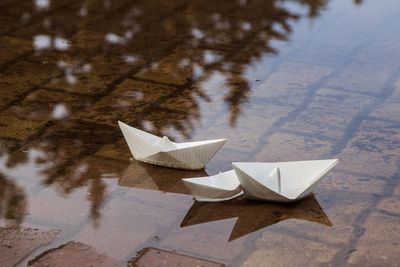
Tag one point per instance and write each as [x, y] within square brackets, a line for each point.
[220, 187]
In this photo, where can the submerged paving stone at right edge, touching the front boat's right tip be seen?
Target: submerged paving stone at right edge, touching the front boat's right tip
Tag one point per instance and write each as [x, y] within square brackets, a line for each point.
[374, 144]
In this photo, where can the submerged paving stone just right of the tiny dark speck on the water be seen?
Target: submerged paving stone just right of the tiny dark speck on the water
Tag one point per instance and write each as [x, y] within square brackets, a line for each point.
[290, 83]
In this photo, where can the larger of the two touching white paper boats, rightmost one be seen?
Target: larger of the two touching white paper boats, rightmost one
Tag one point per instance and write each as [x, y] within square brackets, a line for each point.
[281, 181]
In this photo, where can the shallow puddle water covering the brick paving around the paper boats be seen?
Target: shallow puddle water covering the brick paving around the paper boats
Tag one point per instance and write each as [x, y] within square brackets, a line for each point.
[281, 80]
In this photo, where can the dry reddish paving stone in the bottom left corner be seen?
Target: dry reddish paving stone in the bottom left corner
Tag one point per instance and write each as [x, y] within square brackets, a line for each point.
[17, 243]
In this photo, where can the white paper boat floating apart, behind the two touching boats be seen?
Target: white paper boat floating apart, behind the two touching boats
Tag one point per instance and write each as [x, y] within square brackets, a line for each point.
[152, 149]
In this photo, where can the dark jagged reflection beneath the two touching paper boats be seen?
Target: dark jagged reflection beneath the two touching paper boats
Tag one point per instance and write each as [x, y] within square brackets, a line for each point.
[253, 216]
